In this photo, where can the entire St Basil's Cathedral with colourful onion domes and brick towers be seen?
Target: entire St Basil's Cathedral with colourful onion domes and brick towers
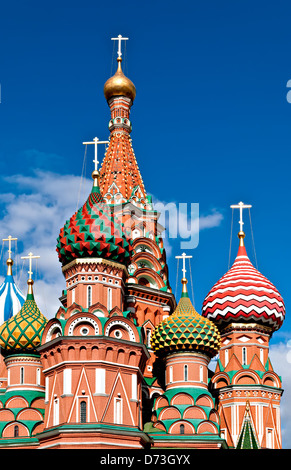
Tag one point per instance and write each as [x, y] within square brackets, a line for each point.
[122, 364]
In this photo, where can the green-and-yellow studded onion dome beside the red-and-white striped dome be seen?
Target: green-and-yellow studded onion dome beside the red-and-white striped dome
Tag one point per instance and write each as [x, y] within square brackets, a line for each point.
[186, 330]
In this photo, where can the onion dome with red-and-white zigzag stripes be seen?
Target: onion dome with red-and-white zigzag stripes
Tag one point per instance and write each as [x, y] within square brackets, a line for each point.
[244, 295]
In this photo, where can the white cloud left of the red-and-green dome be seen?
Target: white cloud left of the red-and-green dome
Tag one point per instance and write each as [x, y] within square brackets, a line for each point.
[34, 214]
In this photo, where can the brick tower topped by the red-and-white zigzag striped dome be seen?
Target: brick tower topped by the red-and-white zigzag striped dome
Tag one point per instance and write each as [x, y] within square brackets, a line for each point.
[248, 309]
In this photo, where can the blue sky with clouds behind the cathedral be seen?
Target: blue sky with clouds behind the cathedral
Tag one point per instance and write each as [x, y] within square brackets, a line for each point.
[211, 125]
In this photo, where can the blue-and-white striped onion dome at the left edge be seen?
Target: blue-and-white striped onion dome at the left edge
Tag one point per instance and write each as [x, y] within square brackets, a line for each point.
[11, 298]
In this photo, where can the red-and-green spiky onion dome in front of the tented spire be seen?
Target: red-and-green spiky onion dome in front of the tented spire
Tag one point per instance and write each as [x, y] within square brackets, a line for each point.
[93, 232]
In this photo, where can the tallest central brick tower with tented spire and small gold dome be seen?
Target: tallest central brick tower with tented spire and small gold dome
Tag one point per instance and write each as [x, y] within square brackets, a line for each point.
[147, 290]
